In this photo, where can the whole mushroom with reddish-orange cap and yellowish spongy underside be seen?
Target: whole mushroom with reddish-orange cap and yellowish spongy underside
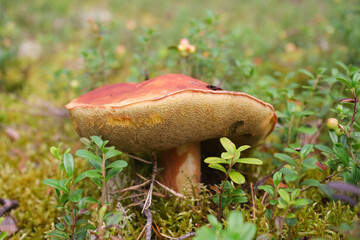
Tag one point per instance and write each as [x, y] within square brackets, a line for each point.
[171, 114]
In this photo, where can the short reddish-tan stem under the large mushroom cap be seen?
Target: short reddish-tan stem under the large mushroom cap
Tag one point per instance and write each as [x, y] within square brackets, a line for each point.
[182, 165]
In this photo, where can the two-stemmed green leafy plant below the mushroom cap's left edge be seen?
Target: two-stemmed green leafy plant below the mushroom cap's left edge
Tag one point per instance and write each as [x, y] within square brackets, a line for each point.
[75, 222]
